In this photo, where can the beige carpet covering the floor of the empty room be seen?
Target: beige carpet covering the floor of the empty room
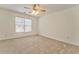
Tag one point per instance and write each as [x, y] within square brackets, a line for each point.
[36, 44]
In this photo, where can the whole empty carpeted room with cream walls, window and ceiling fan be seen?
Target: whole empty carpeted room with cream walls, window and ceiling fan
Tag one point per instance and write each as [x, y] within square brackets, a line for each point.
[39, 28]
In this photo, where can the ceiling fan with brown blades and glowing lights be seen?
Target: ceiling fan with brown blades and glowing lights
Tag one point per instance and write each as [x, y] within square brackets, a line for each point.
[36, 9]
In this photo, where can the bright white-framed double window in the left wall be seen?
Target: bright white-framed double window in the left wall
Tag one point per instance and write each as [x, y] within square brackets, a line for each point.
[23, 25]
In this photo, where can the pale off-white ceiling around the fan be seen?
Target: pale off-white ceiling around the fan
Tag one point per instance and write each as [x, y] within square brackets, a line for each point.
[49, 7]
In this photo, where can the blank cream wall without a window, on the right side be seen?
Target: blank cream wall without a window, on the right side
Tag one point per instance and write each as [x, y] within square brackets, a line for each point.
[62, 25]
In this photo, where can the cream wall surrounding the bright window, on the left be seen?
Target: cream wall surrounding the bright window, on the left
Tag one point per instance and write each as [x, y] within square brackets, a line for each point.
[7, 24]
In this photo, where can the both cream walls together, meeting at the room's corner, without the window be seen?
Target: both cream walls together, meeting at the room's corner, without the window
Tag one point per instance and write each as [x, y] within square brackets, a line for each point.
[62, 25]
